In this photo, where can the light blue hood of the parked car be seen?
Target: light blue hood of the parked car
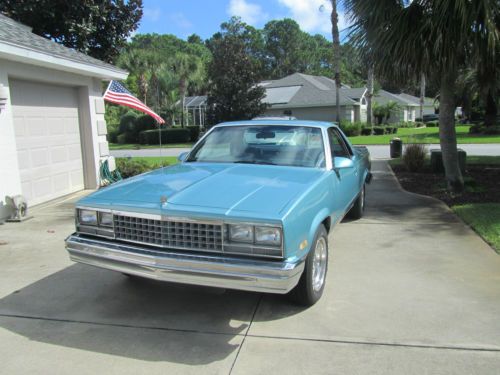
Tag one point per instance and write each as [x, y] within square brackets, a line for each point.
[230, 187]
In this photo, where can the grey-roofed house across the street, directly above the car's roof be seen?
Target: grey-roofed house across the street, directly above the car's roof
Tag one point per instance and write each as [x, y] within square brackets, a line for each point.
[309, 97]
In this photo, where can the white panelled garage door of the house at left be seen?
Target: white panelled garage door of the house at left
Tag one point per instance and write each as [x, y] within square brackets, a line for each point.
[48, 140]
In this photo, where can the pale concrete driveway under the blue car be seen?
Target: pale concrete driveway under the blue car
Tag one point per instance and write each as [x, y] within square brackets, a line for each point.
[410, 290]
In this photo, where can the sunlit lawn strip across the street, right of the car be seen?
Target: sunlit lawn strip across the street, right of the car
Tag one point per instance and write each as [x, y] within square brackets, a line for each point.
[423, 135]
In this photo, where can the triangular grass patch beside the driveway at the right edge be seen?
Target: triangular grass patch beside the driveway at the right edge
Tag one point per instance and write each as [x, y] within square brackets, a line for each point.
[484, 218]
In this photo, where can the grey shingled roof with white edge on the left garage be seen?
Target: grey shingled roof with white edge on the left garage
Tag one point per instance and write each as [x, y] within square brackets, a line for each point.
[18, 43]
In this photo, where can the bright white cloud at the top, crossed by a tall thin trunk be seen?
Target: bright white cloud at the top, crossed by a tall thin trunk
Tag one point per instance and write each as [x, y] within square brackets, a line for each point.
[313, 15]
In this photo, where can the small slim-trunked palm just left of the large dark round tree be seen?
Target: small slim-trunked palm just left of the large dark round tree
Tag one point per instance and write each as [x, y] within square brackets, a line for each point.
[189, 71]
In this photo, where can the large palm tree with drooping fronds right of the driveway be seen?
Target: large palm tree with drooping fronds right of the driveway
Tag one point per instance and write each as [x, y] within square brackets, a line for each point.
[431, 37]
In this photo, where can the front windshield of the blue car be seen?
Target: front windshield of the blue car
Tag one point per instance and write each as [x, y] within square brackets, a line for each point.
[298, 146]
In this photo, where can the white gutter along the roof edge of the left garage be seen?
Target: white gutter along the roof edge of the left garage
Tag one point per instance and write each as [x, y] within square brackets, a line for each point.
[25, 55]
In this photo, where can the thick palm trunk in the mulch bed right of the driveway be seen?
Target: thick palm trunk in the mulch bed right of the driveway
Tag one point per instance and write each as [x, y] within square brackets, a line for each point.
[447, 133]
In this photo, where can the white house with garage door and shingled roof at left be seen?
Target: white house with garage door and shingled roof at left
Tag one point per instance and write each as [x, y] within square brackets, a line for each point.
[52, 128]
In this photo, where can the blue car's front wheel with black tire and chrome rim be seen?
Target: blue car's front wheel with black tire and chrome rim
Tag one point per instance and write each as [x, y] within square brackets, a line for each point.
[307, 293]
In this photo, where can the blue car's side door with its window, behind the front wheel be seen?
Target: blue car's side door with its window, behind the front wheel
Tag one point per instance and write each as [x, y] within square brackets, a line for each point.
[347, 177]
